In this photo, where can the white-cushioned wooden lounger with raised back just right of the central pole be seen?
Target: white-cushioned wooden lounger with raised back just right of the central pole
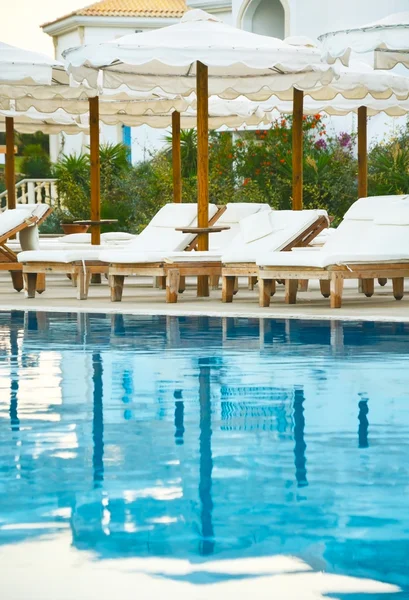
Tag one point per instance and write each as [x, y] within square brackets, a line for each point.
[175, 266]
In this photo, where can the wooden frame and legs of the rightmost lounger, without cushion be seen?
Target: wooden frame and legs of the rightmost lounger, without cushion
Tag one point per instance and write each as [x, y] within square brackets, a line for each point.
[331, 280]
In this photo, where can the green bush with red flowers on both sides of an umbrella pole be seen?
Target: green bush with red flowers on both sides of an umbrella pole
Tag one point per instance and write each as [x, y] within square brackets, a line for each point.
[265, 158]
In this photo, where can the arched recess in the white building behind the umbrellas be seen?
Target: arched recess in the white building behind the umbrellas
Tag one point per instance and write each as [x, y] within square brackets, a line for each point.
[266, 17]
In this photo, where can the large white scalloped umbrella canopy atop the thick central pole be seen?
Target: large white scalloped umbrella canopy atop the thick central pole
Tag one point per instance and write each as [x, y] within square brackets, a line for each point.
[239, 62]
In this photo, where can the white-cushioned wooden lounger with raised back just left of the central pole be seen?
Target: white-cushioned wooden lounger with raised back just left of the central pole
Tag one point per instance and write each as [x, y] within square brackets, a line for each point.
[82, 262]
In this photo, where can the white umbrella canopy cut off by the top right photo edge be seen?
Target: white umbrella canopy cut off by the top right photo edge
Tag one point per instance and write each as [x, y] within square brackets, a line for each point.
[388, 38]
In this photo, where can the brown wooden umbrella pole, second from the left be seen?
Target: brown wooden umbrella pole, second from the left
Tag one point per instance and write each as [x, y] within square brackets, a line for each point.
[95, 170]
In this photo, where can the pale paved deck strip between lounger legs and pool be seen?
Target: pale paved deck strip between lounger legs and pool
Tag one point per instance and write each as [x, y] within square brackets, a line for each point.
[141, 298]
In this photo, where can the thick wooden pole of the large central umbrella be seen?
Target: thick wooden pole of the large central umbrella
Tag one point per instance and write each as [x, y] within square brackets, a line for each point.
[202, 86]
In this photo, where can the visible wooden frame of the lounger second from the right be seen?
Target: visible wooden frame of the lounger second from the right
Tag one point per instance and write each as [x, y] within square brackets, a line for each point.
[231, 271]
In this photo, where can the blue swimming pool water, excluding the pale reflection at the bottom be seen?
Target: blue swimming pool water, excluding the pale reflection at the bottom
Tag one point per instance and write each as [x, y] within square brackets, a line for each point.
[207, 439]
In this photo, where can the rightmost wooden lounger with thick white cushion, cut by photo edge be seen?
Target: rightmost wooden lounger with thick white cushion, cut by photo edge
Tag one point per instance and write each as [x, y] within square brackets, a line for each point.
[371, 242]
